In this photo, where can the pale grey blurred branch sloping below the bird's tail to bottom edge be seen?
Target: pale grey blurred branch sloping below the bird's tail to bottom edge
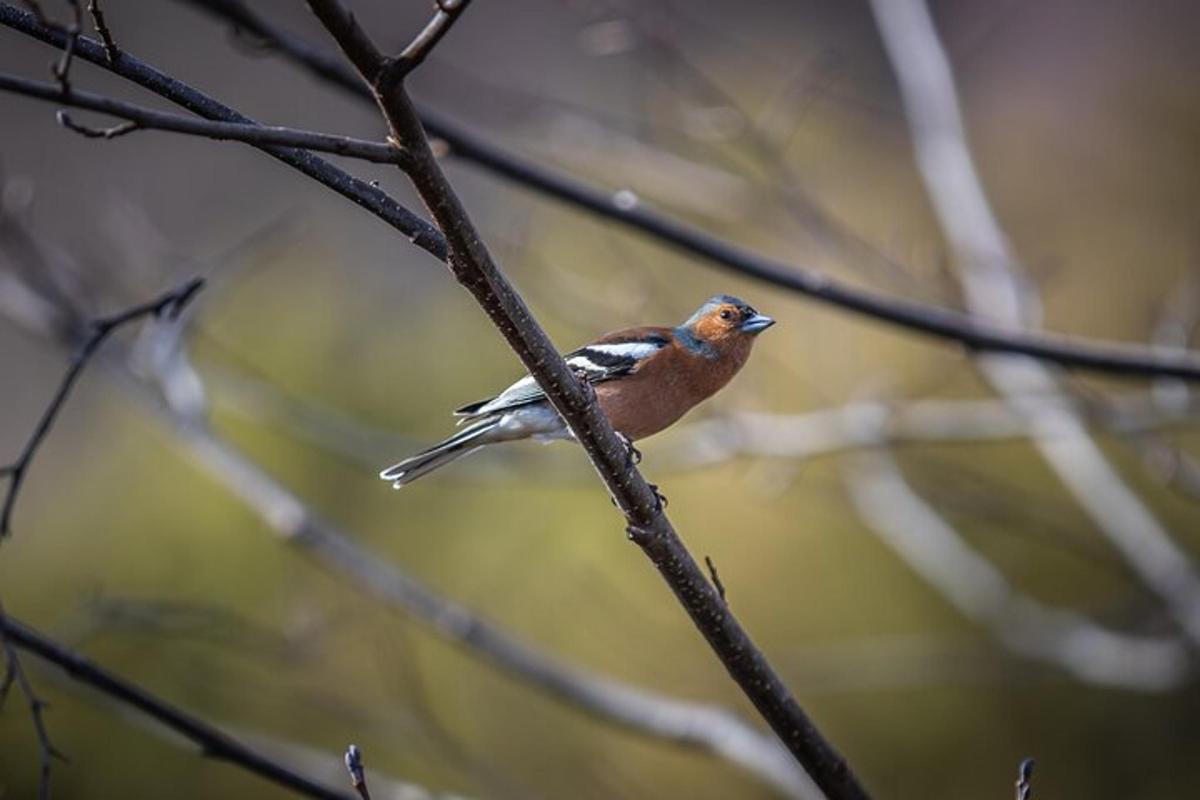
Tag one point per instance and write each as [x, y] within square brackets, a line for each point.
[705, 727]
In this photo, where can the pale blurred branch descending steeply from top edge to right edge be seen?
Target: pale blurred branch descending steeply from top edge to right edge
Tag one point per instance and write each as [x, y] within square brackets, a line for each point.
[995, 286]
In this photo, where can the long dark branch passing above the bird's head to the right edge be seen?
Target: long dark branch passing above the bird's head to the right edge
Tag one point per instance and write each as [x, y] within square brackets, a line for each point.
[970, 332]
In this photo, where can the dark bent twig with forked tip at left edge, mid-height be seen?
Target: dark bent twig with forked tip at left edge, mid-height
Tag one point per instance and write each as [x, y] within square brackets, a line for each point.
[169, 304]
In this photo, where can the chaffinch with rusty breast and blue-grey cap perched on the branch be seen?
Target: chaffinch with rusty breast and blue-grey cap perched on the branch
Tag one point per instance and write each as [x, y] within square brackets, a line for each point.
[645, 380]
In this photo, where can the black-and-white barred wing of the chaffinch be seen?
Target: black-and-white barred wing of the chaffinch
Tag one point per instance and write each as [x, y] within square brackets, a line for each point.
[613, 356]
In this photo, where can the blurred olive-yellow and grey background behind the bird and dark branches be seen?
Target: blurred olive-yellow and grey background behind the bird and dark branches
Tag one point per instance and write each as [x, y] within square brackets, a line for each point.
[928, 582]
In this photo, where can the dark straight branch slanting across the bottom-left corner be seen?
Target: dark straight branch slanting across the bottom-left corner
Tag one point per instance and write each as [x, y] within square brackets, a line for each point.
[213, 743]
